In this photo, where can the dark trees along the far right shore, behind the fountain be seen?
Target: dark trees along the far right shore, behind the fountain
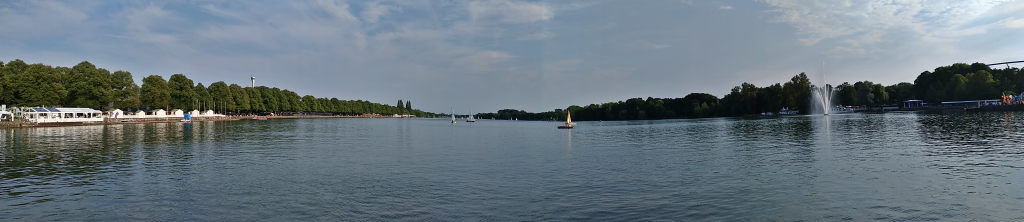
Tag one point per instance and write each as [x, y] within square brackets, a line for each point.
[956, 82]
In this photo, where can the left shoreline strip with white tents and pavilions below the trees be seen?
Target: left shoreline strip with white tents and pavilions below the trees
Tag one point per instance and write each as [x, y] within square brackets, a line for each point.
[120, 121]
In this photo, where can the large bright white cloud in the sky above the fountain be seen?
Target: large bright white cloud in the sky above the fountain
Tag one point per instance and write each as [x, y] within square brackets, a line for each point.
[865, 24]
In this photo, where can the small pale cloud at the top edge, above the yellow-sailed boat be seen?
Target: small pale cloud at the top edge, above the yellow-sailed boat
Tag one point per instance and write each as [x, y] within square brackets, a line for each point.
[510, 12]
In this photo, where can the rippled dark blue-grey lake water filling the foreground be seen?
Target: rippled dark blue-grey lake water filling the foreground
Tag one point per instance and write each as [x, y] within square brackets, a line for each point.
[863, 167]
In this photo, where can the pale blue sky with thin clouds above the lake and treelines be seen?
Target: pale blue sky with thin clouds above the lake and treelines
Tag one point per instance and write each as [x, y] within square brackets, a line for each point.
[534, 56]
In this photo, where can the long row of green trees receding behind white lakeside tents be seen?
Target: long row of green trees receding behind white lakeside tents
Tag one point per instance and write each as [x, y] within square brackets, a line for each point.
[87, 86]
